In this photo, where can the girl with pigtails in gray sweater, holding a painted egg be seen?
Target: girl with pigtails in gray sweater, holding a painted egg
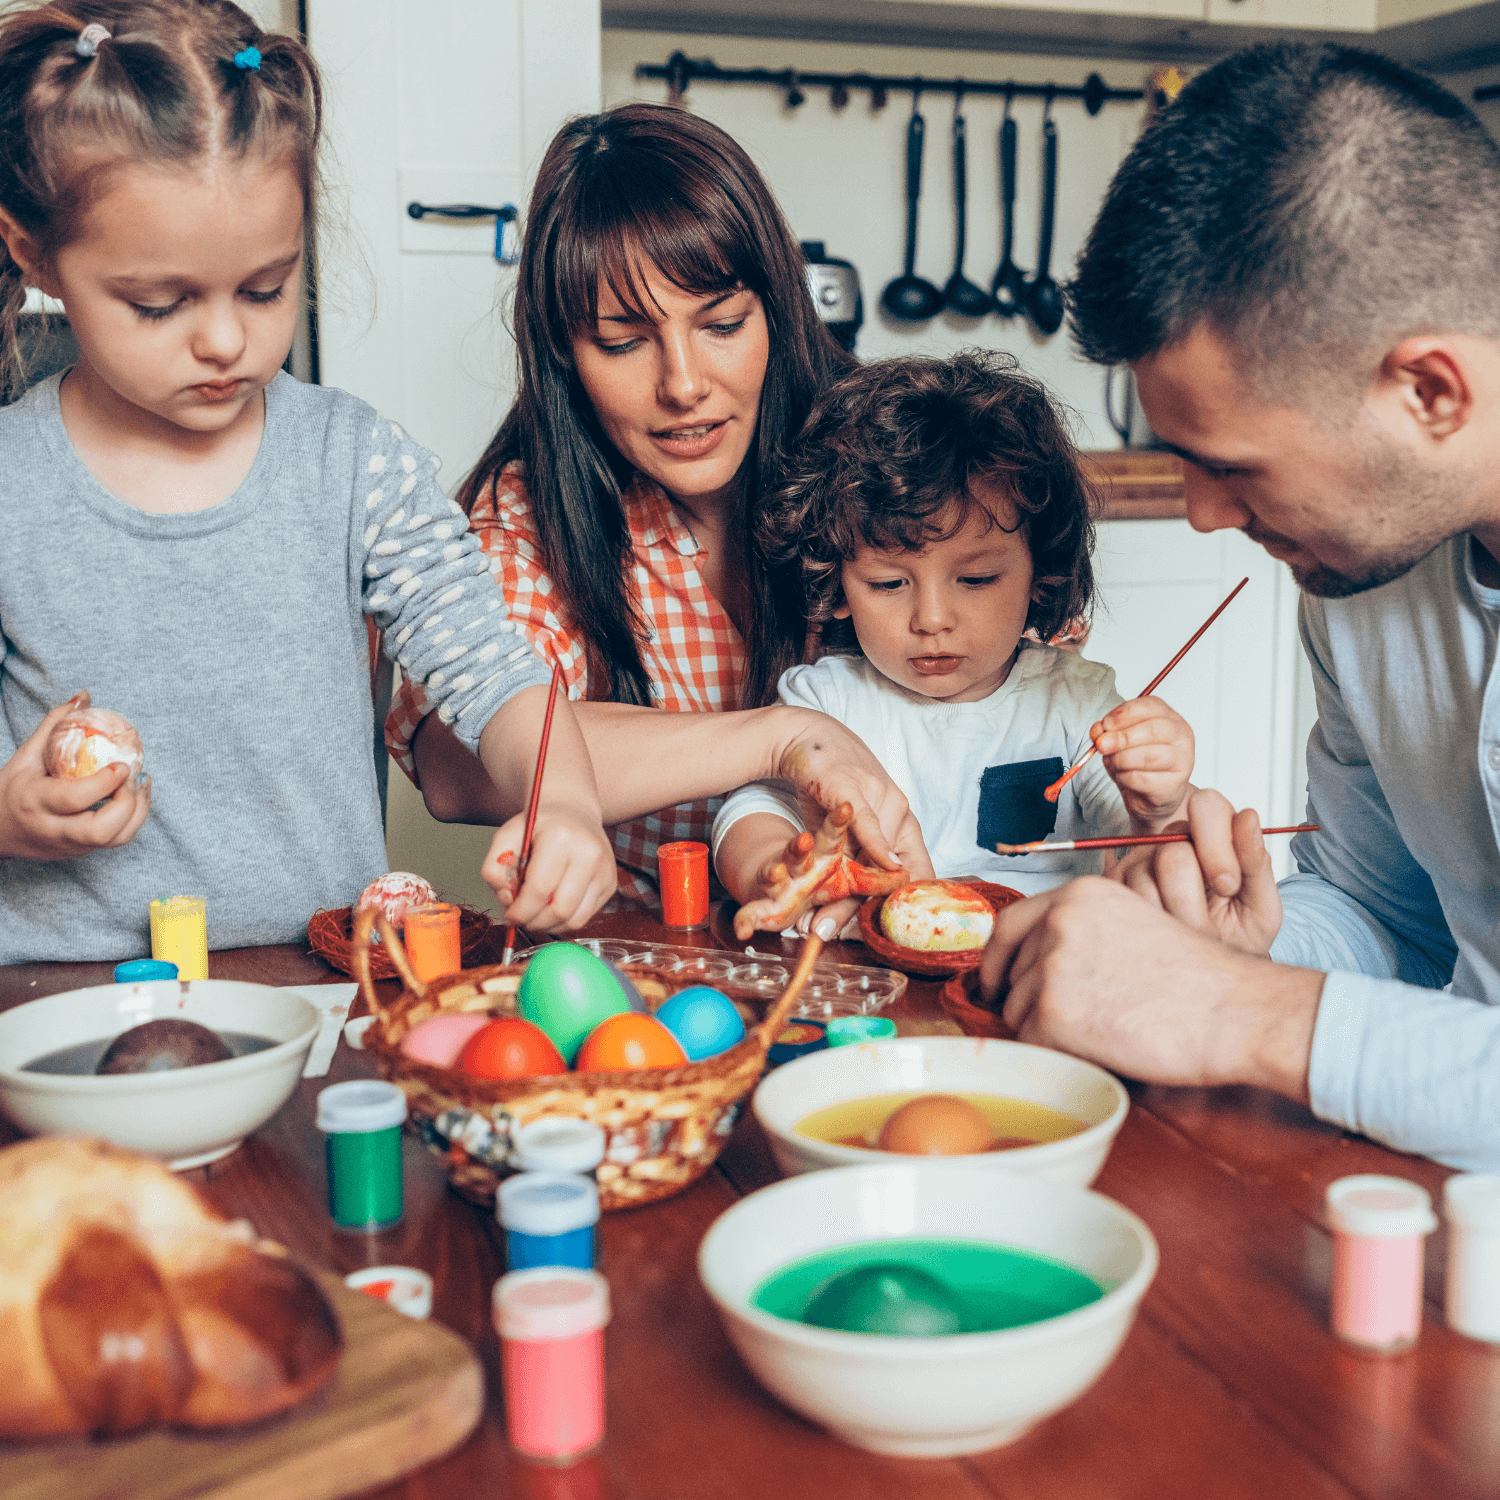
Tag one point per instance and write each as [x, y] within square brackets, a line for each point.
[193, 535]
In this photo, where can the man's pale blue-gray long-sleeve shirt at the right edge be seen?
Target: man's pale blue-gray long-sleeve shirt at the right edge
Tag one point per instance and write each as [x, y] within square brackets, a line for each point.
[1400, 893]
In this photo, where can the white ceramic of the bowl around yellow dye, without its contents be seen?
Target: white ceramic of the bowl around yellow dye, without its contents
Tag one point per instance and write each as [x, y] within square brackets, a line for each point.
[946, 1066]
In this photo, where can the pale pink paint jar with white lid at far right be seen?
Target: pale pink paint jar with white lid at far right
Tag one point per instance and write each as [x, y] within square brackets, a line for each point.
[1379, 1226]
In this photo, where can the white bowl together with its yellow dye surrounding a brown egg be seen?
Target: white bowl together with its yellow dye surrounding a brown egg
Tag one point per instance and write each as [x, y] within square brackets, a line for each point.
[1052, 1115]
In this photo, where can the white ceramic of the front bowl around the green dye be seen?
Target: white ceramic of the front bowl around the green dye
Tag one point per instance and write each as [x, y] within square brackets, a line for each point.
[928, 1397]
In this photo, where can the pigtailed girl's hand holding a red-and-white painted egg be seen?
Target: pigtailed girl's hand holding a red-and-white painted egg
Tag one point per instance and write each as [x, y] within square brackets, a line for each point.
[55, 818]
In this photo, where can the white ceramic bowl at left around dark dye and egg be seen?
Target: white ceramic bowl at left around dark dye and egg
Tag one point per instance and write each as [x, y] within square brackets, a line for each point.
[187, 1117]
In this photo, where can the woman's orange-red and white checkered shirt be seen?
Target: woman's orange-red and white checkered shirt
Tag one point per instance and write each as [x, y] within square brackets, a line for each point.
[694, 655]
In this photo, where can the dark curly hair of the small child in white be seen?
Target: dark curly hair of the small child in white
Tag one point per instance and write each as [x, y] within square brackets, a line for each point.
[889, 458]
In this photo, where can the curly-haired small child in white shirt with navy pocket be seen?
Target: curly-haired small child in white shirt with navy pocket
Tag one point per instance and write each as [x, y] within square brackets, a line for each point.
[941, 524]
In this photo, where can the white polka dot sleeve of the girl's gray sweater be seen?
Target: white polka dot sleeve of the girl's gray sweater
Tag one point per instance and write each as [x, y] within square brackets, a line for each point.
[430, 589]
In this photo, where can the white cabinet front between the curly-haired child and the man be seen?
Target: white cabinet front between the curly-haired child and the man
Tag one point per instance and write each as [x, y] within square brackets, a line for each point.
[1240, 686]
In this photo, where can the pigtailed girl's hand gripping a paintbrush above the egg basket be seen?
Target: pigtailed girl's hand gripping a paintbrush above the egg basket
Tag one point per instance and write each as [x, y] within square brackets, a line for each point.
[571, 877]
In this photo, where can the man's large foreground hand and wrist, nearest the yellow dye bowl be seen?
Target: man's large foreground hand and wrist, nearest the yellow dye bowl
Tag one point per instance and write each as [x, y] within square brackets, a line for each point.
[1094, 970]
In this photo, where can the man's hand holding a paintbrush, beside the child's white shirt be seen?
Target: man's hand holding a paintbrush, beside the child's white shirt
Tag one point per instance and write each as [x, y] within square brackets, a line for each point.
[1220, 884]
